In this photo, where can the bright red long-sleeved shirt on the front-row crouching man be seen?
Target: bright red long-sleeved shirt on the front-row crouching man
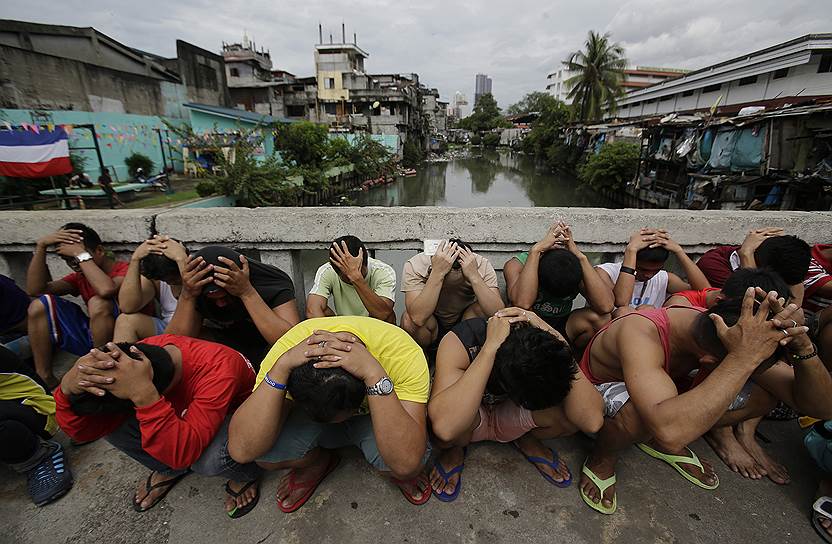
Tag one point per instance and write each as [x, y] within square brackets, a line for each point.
[179, 426]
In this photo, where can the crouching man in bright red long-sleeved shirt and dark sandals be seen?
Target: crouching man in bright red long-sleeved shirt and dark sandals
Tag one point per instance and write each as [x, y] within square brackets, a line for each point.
[165, 403]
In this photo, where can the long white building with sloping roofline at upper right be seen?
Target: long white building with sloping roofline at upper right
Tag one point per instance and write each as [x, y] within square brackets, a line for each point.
[771, 77]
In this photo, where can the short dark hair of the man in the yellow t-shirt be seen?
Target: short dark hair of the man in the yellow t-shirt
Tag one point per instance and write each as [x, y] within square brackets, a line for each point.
[325, 393]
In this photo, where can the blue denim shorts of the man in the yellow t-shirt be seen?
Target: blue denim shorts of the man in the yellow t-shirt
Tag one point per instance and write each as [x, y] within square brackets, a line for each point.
[301, 434]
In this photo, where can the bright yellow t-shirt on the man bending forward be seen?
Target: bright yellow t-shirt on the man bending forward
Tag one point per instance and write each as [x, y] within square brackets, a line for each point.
[399, 355]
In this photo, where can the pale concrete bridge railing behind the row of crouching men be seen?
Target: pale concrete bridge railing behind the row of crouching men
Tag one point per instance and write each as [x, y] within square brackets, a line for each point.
[284, 236]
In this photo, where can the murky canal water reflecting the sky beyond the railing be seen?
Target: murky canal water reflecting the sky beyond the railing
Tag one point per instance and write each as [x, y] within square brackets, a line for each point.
[485, 178]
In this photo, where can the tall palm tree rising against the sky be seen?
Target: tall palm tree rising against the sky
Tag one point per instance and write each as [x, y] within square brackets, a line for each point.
[597, 83]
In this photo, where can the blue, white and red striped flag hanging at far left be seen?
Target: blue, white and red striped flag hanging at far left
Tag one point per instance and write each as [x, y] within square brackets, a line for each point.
[26, 154]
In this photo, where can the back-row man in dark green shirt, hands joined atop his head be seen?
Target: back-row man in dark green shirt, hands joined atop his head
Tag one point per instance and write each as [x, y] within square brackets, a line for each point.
[548, 278]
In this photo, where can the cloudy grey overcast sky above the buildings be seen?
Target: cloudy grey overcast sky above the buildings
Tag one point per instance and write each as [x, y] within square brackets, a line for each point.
[447, 42]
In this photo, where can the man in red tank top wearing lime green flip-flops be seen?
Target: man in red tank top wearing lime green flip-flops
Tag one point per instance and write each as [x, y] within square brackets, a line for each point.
[641, 364]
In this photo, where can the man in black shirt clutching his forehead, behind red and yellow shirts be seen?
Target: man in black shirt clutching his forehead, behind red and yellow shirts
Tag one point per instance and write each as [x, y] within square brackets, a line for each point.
[238, 302]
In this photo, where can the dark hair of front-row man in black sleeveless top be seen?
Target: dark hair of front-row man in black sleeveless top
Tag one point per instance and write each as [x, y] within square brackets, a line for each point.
[533, 368]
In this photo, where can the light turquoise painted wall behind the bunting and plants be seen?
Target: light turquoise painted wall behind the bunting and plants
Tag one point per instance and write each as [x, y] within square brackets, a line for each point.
[119, 136]
